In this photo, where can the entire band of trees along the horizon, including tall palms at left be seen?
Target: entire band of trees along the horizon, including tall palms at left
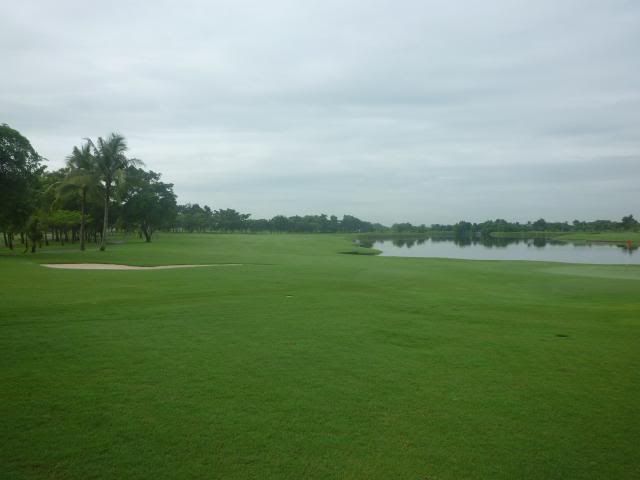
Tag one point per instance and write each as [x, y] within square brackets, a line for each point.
[101, 190]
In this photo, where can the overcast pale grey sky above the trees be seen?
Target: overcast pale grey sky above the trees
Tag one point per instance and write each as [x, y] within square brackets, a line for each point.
[392, 111]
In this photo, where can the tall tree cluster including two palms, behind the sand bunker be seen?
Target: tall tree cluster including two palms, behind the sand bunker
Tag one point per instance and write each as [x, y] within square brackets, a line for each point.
[100, 189]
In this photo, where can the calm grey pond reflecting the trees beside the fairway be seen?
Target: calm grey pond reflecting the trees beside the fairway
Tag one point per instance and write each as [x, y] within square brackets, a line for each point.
[507, 249]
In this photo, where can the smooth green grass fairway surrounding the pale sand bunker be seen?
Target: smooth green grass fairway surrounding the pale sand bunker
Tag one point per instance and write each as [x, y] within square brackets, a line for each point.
[304, 363]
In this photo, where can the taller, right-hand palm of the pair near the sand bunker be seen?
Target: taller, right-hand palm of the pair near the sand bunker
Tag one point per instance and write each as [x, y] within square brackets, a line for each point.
[110, 163]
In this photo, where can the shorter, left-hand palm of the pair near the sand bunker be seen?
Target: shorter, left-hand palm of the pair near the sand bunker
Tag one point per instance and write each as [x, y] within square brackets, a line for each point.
[82, 178]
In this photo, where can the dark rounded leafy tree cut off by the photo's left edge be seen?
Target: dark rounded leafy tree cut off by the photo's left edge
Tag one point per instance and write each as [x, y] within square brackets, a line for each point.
[20, 168]
